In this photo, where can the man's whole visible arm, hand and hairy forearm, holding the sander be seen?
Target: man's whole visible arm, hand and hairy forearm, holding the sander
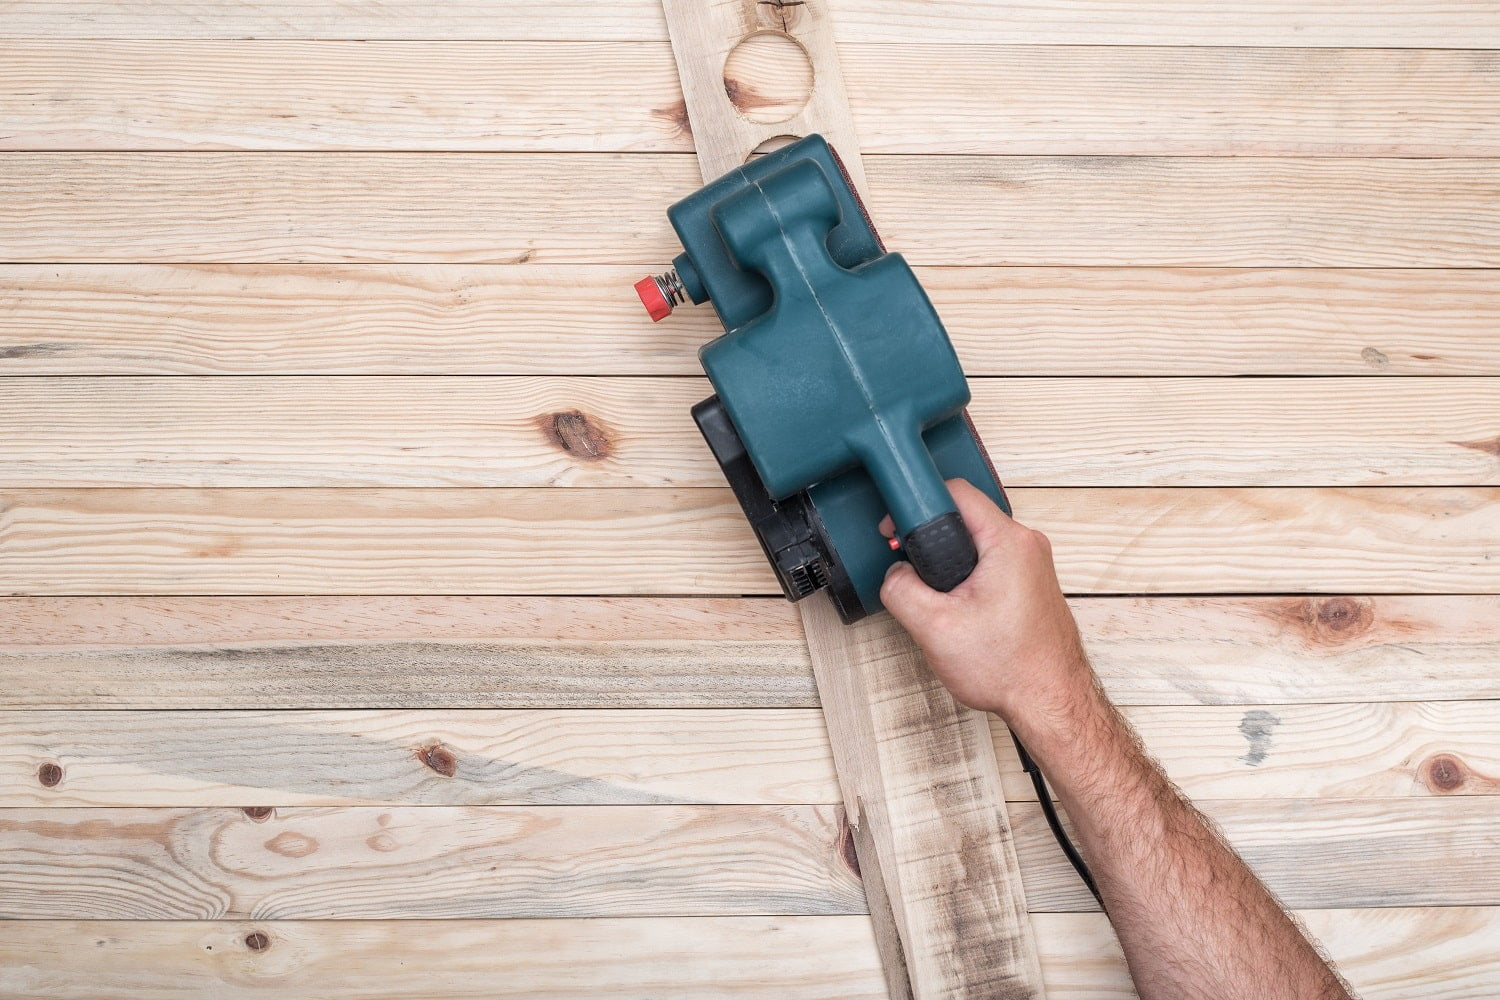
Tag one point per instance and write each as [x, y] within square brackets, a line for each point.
[1192, 918]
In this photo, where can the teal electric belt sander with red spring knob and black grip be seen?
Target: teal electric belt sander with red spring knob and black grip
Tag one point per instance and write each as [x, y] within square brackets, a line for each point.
[839, 397]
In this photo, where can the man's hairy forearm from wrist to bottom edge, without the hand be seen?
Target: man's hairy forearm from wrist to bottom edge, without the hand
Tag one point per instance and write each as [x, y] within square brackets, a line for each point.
[1192, 918]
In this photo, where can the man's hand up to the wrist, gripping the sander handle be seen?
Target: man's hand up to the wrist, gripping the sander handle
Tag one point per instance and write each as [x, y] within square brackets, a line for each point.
[1004, 639]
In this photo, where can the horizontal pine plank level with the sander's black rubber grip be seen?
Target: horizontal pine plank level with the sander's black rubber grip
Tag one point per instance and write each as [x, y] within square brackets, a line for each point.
[1403, 540]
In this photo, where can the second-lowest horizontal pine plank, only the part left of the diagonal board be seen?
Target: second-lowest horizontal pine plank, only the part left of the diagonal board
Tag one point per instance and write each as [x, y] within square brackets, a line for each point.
[406, 863]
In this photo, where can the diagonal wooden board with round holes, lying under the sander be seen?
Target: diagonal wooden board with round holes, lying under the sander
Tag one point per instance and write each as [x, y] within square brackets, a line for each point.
[925, 809]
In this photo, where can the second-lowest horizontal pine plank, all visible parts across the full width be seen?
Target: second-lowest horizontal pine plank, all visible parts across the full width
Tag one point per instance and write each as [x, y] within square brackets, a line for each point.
[655, 860]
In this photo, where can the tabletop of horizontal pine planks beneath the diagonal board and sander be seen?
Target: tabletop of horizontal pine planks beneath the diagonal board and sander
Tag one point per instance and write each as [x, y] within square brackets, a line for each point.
[379, 627]
